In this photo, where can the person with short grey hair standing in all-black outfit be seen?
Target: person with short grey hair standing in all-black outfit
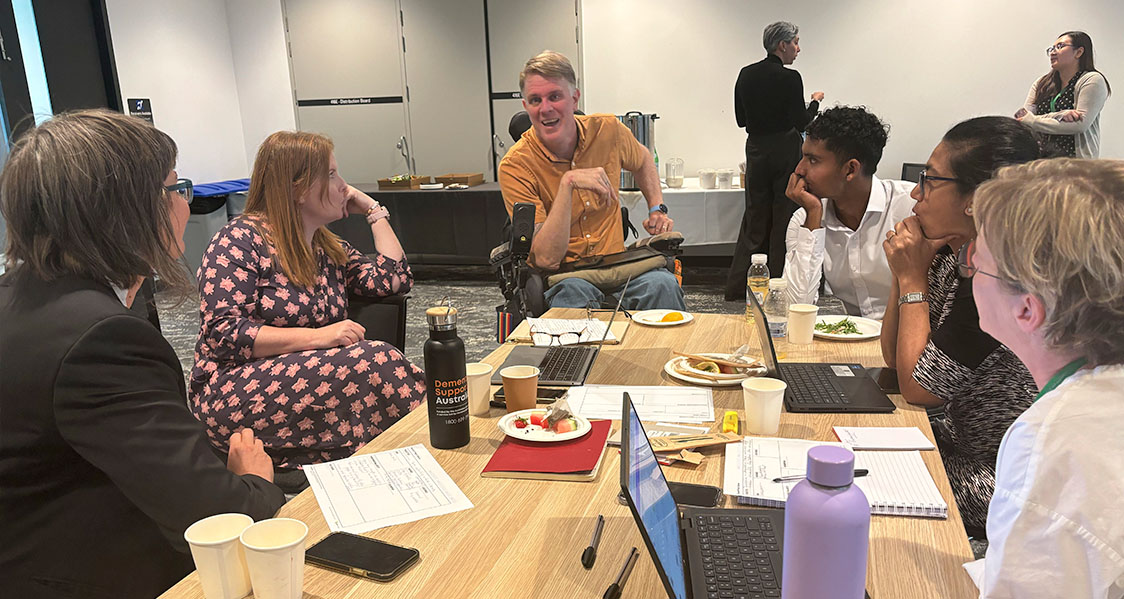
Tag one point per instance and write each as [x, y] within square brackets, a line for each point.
[769, 103]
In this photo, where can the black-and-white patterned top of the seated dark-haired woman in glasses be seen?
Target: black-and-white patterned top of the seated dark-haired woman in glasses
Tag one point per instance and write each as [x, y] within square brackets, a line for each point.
[984, 385]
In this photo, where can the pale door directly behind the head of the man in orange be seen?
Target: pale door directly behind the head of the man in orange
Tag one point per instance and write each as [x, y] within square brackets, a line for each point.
[516, 32]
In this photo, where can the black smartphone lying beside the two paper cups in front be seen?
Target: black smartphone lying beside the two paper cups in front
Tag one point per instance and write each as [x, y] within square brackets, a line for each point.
[361, 557]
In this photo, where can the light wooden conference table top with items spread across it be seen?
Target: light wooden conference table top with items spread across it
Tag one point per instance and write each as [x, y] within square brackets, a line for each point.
[524, 539]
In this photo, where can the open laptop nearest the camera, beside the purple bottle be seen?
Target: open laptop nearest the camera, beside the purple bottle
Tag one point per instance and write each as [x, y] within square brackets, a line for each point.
[706, 552]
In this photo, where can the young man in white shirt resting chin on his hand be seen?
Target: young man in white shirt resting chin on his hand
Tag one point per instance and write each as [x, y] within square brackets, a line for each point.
[845, 214]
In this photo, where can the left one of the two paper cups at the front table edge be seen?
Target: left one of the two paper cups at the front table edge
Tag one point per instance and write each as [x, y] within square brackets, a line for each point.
[219, 556]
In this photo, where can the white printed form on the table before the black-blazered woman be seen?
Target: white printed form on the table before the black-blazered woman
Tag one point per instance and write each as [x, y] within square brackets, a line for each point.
[370, 492]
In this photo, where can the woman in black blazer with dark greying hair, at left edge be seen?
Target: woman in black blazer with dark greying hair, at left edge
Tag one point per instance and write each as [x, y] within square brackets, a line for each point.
[102, 466]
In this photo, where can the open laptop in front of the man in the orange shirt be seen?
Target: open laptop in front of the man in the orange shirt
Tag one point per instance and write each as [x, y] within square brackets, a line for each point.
[560, 366]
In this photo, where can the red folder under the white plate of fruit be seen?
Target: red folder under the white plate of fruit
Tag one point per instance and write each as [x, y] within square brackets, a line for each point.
[578, 459]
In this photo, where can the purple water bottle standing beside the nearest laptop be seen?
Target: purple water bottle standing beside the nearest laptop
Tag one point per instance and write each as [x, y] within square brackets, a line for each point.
[827, 531]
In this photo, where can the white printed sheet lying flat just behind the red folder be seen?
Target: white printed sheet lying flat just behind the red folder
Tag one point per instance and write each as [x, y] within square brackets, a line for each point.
[654, 404]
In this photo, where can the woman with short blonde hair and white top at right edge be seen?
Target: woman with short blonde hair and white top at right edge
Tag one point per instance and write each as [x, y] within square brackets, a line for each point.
[1053, 291]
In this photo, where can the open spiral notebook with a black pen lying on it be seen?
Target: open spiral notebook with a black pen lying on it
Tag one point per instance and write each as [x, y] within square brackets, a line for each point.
[899, 483]
